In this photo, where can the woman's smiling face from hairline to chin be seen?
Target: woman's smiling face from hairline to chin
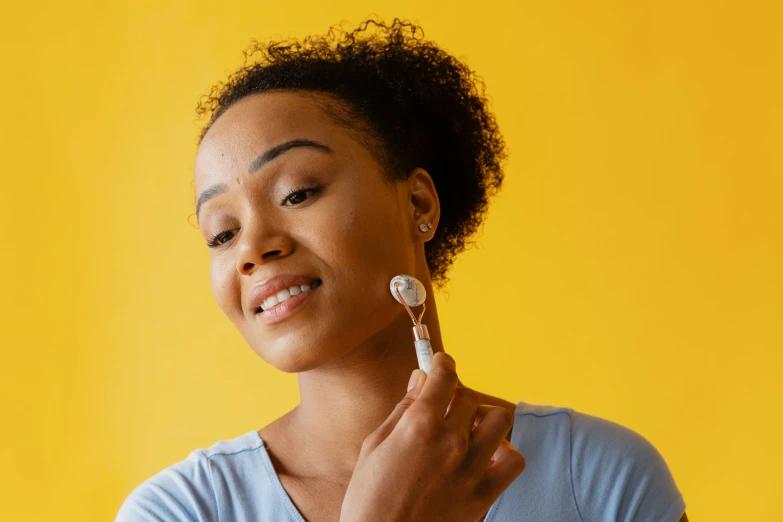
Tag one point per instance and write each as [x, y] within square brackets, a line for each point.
[321, 211]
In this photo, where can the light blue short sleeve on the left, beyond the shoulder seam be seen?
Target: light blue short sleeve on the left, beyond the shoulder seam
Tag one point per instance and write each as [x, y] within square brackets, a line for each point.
[180, 493]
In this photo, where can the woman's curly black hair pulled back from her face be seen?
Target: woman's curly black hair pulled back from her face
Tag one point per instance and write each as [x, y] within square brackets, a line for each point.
[415, 105]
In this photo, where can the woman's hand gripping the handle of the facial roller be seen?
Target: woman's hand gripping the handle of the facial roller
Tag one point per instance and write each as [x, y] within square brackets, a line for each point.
[427, 463]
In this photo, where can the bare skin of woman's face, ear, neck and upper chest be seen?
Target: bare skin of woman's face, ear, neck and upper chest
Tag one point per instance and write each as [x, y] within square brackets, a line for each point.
[350, 344]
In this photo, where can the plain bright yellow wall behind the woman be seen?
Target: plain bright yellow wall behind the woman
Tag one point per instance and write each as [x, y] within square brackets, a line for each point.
[630, 268]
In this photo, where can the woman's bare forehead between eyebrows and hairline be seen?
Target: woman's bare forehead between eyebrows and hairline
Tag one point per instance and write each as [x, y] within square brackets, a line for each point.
[258, 122]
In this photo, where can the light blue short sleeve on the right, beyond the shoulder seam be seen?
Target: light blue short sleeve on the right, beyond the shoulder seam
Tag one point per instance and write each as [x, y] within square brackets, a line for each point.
[618, 475]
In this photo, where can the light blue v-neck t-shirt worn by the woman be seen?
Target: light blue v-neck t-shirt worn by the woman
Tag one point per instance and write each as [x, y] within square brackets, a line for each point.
[579, 468]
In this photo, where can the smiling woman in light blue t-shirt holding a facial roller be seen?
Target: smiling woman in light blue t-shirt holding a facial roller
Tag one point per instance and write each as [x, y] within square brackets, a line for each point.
[327, 168]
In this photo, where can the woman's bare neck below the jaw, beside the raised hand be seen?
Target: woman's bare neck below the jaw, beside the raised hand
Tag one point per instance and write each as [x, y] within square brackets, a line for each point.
[343, 402]
